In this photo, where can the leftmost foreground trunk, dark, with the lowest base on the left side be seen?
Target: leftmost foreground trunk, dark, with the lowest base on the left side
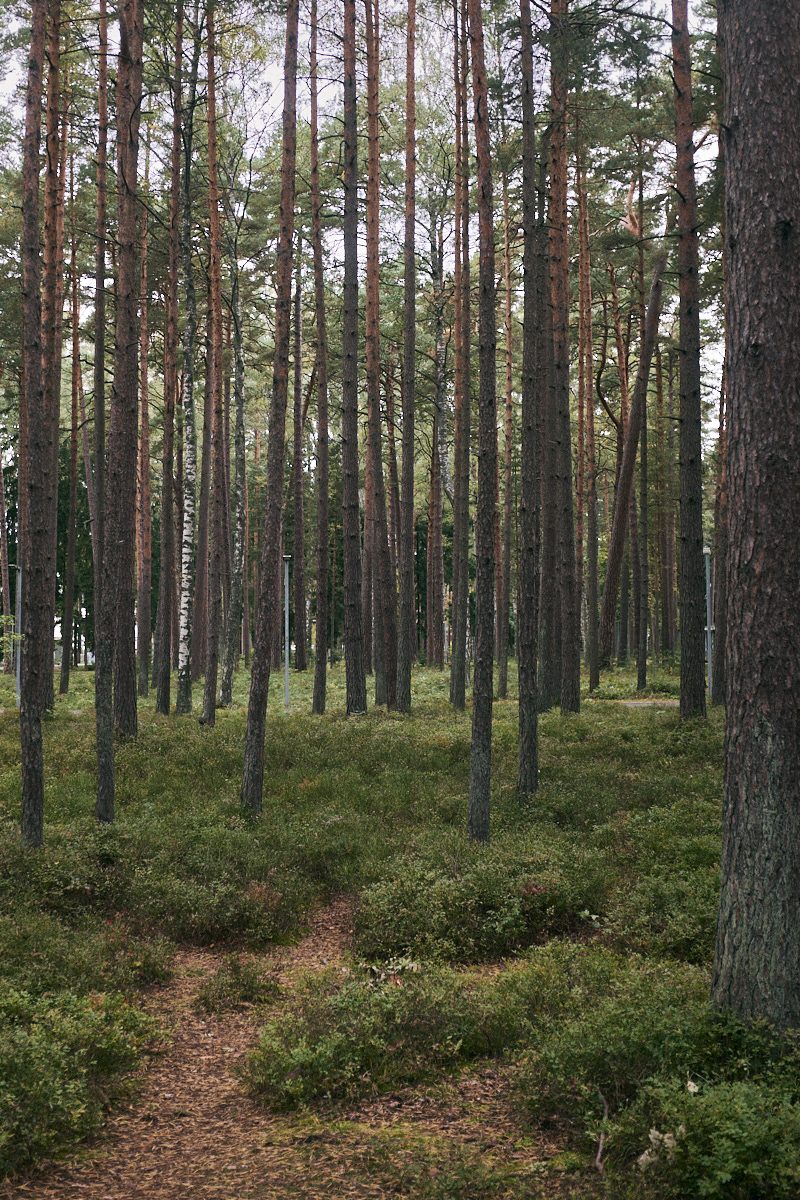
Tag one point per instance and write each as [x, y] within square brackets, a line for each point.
[40, 484]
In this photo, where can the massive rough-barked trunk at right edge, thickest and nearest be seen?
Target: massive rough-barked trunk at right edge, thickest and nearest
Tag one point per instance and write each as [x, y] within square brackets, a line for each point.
[757, 963]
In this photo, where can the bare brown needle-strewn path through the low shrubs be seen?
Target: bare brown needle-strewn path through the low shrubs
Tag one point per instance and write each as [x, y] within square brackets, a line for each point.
[191, 1130]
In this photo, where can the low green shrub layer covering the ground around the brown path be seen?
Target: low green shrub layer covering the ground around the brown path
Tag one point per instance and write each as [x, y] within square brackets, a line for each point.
[618, 853]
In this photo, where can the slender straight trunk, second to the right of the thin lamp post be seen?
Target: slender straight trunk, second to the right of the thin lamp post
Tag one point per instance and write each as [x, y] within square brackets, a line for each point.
[323, 436]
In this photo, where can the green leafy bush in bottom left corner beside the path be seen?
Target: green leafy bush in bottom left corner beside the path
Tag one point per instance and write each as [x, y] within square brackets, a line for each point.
[59, 1060]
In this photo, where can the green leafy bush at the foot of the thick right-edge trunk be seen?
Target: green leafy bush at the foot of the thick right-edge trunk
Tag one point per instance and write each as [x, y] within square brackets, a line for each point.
[697, 1103]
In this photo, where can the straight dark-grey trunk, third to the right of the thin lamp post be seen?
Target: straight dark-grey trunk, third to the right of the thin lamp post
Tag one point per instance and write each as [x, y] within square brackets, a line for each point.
[357, 683]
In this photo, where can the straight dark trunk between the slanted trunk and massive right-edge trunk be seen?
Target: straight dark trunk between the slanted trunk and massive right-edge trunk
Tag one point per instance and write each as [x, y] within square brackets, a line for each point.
[693, 586]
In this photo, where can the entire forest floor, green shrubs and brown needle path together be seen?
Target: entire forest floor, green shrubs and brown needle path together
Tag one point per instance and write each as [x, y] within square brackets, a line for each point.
[350, 999]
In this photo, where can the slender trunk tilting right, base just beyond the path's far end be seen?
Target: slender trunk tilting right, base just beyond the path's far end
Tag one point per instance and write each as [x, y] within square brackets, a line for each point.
[267, 619]
